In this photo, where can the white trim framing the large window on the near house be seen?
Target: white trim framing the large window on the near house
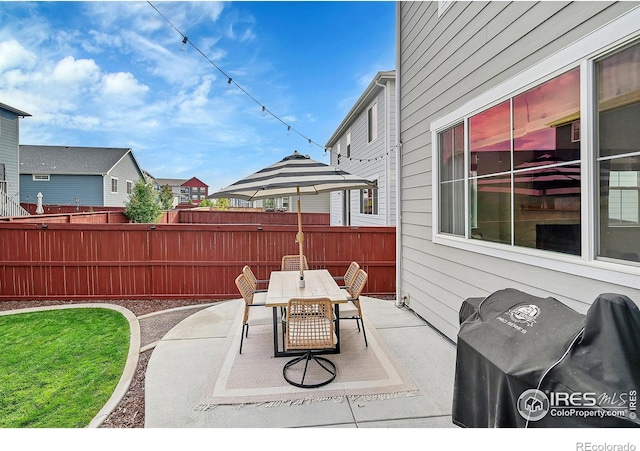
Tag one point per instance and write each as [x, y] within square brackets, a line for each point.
[581, 53]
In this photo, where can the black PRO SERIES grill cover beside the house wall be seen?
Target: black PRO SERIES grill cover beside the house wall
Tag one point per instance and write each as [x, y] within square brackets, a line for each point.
[510, 340]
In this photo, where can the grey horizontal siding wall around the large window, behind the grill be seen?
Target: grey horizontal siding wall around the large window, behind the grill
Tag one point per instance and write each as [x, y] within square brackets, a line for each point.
[444, 63]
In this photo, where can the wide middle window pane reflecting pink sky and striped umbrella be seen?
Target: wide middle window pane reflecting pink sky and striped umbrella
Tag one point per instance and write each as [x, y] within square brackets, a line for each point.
[534, 198]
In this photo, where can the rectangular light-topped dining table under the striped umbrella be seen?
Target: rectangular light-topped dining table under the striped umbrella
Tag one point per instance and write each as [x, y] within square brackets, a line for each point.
[284, 285]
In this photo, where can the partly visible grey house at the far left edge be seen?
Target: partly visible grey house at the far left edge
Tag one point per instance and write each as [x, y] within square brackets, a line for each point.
[9, 161]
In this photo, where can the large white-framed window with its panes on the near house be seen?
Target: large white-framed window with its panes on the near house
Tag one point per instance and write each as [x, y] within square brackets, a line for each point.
[548, 160]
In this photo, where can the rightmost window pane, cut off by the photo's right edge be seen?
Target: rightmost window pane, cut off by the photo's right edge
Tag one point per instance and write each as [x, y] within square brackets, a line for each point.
[618, 96]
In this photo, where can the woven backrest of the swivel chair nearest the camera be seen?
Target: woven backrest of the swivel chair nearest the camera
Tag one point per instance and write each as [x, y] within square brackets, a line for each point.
[310, 324]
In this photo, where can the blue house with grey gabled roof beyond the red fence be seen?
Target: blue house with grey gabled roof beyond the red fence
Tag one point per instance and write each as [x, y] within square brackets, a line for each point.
[82, 176]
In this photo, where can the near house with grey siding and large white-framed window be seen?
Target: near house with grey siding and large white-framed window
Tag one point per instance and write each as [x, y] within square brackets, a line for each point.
[520, 154]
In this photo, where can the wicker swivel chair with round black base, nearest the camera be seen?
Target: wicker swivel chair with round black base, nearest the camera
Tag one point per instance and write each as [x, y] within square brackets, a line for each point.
[310, 328]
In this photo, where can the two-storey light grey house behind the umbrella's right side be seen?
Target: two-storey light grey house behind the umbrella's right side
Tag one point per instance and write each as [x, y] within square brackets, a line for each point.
[364, 144]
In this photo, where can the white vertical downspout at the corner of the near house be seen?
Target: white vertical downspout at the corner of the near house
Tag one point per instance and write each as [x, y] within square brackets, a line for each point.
[400, 301]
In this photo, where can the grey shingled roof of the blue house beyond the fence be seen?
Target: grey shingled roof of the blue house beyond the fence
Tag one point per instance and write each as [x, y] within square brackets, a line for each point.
[70, 160]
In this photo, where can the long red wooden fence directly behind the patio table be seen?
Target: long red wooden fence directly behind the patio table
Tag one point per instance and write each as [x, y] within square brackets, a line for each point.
[172, 261]
